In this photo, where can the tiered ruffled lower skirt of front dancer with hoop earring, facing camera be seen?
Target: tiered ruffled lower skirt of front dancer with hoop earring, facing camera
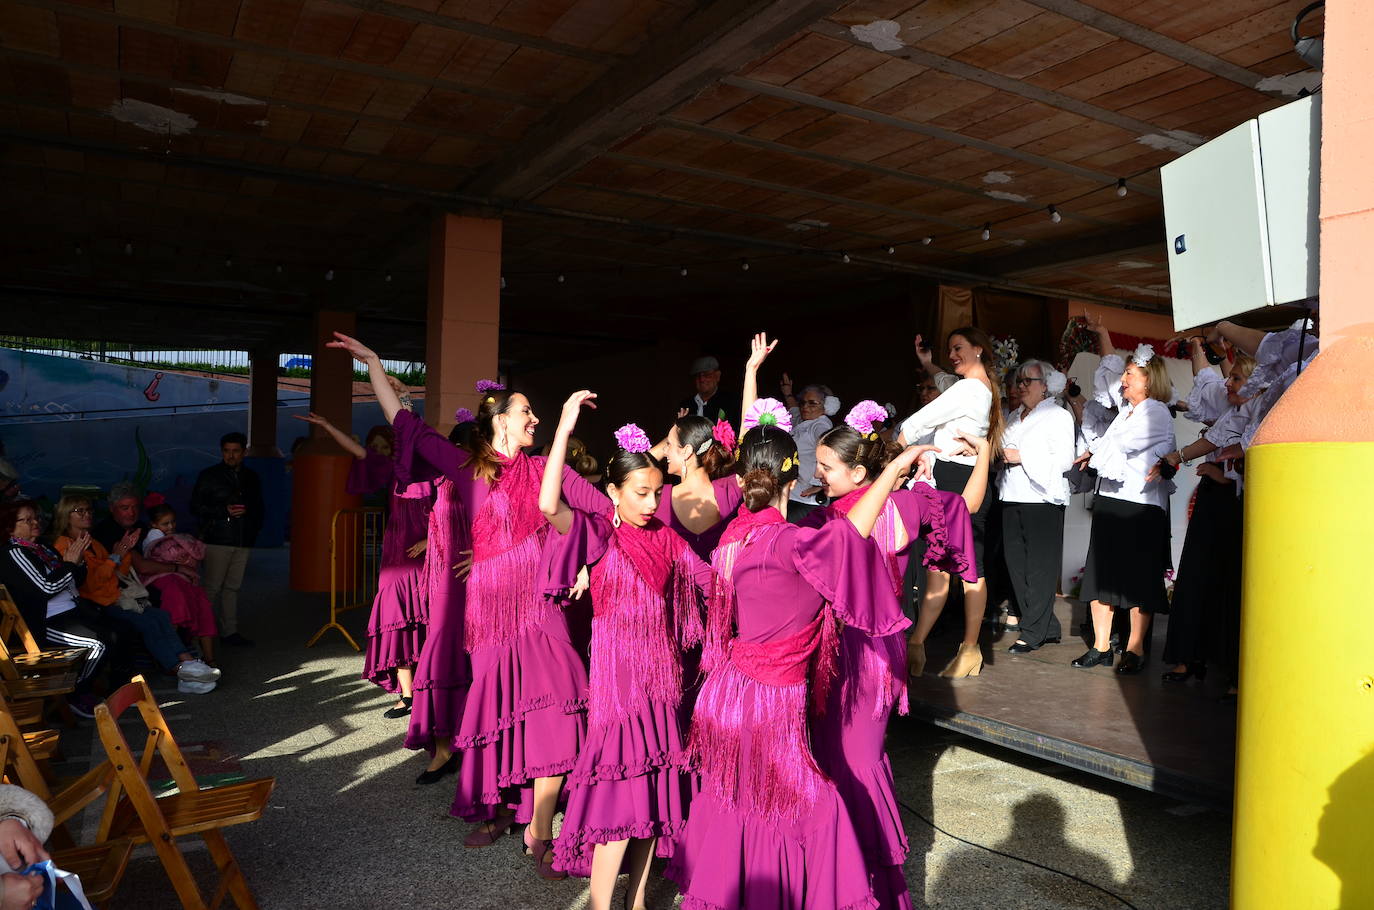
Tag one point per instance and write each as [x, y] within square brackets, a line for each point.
[631, 780]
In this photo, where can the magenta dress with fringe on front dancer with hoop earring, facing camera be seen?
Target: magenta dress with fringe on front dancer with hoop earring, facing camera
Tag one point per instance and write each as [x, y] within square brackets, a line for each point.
[633, 779]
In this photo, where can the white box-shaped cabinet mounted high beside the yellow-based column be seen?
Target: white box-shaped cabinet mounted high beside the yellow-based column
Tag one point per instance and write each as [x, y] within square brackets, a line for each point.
[1241, 215]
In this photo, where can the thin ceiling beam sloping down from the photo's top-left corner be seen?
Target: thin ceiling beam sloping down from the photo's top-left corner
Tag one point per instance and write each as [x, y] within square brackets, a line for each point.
[230, 43]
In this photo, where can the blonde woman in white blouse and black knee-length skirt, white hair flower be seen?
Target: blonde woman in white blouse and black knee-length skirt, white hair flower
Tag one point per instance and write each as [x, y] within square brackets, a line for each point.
[1129, 545]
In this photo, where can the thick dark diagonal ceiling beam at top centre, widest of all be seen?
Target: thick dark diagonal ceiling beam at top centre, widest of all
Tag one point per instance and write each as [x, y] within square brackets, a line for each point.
[712, 43]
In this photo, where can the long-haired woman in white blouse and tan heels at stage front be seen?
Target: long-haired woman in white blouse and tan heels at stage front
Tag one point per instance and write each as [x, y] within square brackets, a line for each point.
[971, 408]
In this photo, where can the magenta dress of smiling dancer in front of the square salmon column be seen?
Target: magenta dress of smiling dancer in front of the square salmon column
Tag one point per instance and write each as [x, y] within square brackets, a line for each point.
[526, 711]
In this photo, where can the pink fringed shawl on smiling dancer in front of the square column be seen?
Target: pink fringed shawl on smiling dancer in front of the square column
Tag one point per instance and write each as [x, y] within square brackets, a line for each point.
[504, 601]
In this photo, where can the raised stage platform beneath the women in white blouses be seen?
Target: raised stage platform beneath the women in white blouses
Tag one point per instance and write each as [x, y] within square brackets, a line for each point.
[1173, 739]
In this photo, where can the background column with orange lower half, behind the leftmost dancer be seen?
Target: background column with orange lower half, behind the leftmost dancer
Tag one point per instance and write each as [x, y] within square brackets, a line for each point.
[321, 468]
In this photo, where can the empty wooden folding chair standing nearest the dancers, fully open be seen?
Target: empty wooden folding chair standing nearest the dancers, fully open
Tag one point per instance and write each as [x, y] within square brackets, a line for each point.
[135, 813]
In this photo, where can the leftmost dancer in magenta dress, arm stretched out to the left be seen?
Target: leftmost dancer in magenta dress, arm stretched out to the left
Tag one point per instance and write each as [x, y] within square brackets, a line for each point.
[401, 611]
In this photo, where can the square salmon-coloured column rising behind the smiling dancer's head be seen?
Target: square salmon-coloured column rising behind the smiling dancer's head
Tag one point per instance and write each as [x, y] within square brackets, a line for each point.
[465, 310]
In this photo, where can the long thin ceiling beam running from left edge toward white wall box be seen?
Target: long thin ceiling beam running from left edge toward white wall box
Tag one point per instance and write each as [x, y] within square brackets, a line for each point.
[460, 201]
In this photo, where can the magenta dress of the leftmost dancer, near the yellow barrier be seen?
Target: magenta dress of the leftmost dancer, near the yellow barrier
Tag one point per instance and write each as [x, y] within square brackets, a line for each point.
[401, 612]
